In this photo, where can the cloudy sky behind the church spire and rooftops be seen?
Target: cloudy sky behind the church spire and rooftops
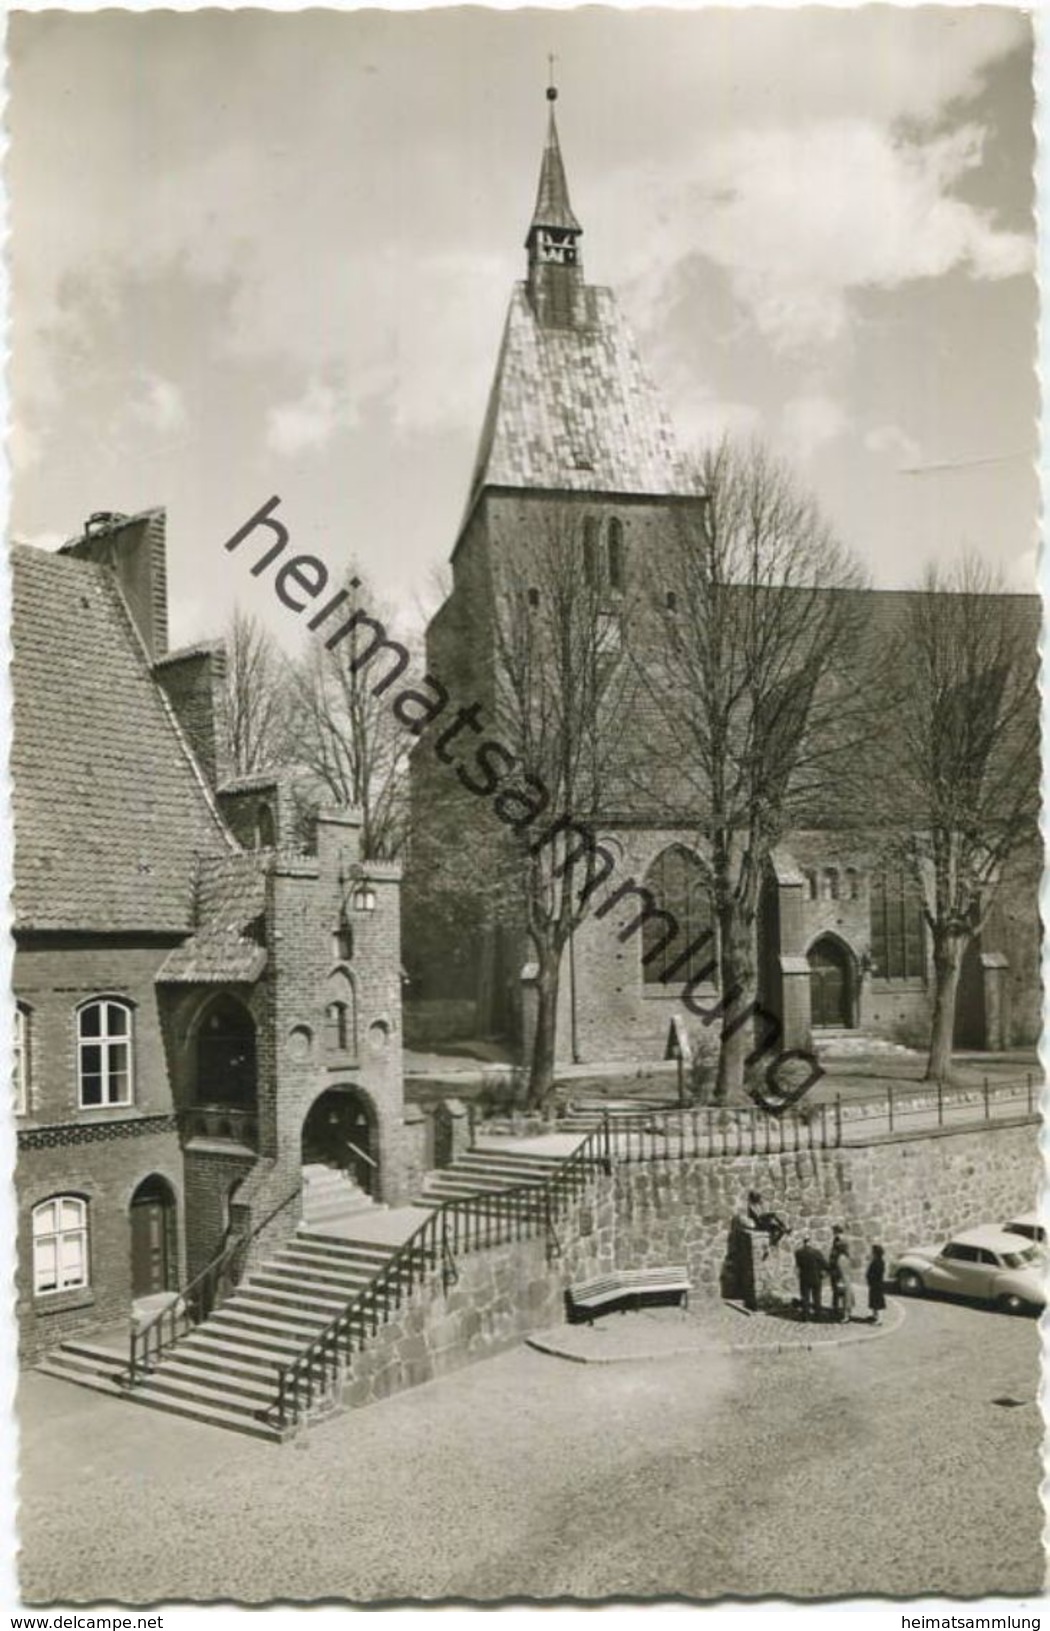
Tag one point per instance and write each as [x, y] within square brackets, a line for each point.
[263, 255]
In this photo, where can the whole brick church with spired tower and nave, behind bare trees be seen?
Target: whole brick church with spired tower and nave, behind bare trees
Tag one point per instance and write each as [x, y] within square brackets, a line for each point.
[576, 430]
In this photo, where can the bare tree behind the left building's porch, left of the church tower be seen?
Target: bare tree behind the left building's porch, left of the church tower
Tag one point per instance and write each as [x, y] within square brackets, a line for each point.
[345, 733]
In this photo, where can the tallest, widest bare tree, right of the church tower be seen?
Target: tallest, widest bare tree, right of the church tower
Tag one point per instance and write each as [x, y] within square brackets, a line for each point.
[759, 696]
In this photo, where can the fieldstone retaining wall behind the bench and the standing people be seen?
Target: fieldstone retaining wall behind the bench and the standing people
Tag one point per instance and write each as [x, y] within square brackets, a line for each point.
[898, 1191]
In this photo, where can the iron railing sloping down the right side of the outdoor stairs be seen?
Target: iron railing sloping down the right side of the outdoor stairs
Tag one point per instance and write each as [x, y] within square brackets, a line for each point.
[452, 1231]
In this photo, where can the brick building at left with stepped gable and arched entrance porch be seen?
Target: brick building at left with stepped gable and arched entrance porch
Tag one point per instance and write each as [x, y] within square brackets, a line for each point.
[201, 1006]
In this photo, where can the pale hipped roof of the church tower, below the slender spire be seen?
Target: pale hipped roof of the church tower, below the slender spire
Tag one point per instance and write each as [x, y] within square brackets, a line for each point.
[575, 409]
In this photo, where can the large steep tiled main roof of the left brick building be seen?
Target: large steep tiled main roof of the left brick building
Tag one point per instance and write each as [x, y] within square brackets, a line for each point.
[110, 808]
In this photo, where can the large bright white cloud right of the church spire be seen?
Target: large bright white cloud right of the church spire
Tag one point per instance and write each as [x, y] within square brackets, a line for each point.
[805, 218]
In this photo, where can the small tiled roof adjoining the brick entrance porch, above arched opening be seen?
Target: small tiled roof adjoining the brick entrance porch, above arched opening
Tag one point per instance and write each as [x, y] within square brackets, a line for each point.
[231, 906]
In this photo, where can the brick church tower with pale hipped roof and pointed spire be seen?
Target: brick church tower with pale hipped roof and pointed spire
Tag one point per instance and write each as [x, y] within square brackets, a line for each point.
[576, 443]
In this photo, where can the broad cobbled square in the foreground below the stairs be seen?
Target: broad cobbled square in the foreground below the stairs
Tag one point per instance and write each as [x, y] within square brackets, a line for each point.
[881, 1467]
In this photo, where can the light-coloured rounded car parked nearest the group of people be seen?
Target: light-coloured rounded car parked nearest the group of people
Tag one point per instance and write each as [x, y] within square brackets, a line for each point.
[982, 1263]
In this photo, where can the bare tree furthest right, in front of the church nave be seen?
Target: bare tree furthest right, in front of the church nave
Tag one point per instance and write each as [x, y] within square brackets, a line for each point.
[966, 762]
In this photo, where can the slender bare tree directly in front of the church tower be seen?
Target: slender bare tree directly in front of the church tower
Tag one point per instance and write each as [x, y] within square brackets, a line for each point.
[562, 687]
